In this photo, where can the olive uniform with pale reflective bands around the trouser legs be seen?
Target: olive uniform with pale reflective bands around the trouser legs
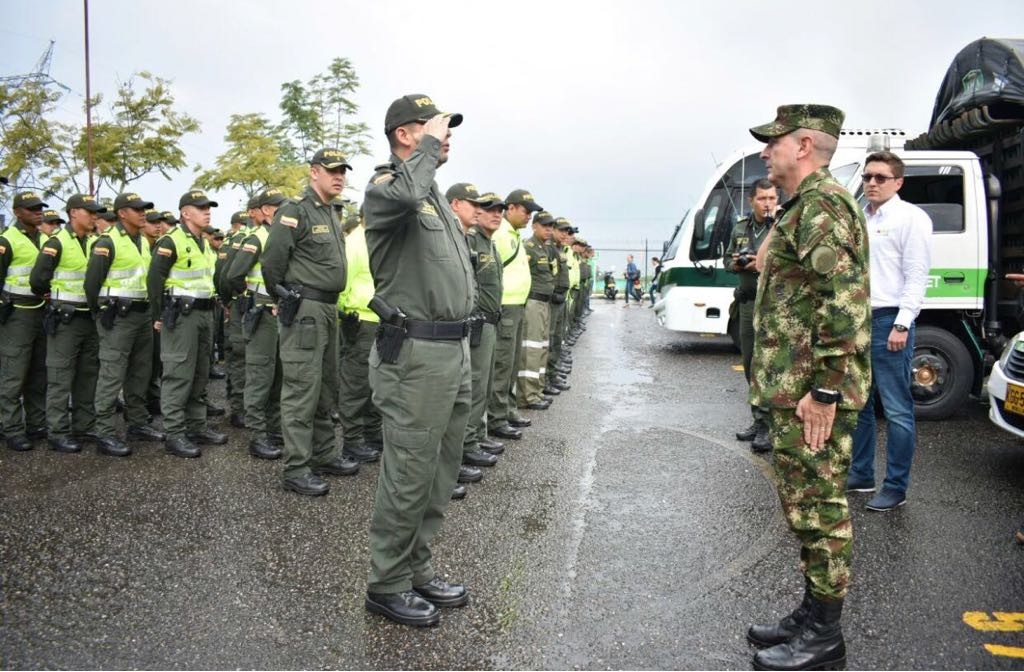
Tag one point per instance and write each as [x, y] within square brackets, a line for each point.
[537, 322]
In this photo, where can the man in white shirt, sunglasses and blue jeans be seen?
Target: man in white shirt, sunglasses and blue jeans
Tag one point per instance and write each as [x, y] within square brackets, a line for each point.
[901, 240]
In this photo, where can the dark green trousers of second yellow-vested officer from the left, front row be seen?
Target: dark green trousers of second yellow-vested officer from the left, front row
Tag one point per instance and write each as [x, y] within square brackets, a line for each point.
[72, 367]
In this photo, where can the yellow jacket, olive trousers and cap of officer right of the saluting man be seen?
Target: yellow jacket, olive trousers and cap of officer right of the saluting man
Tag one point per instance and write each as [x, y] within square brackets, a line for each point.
[516, 289]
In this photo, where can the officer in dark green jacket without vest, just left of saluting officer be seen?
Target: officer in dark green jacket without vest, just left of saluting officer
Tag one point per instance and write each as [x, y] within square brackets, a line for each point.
[305, 259]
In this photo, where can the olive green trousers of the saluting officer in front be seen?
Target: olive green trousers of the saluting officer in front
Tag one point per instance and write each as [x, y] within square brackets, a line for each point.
[424, 401]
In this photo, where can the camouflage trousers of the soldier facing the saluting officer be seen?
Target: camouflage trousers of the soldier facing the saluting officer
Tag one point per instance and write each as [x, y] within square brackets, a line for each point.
[813, 489]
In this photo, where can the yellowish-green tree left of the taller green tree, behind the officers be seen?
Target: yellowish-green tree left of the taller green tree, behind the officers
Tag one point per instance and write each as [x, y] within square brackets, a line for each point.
[257, 157]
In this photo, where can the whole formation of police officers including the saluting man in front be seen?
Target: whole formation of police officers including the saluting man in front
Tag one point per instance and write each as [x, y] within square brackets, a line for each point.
[424, 326]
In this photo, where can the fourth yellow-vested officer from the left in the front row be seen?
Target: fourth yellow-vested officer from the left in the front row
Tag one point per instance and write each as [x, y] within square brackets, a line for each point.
[182, 298]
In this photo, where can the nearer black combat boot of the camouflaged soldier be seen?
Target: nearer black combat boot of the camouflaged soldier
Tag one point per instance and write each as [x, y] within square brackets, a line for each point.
[820, 646]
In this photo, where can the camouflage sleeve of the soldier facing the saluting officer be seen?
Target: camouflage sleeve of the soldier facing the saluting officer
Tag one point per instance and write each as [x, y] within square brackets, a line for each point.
[834, 256]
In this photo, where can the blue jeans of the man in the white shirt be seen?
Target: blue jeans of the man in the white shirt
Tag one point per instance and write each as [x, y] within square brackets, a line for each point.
[891, 380]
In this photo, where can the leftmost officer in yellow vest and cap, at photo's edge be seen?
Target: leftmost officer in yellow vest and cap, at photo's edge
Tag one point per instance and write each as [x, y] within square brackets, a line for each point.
[23, 351]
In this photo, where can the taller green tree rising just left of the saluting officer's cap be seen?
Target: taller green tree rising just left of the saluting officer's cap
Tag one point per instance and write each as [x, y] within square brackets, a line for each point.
[320, 113]
